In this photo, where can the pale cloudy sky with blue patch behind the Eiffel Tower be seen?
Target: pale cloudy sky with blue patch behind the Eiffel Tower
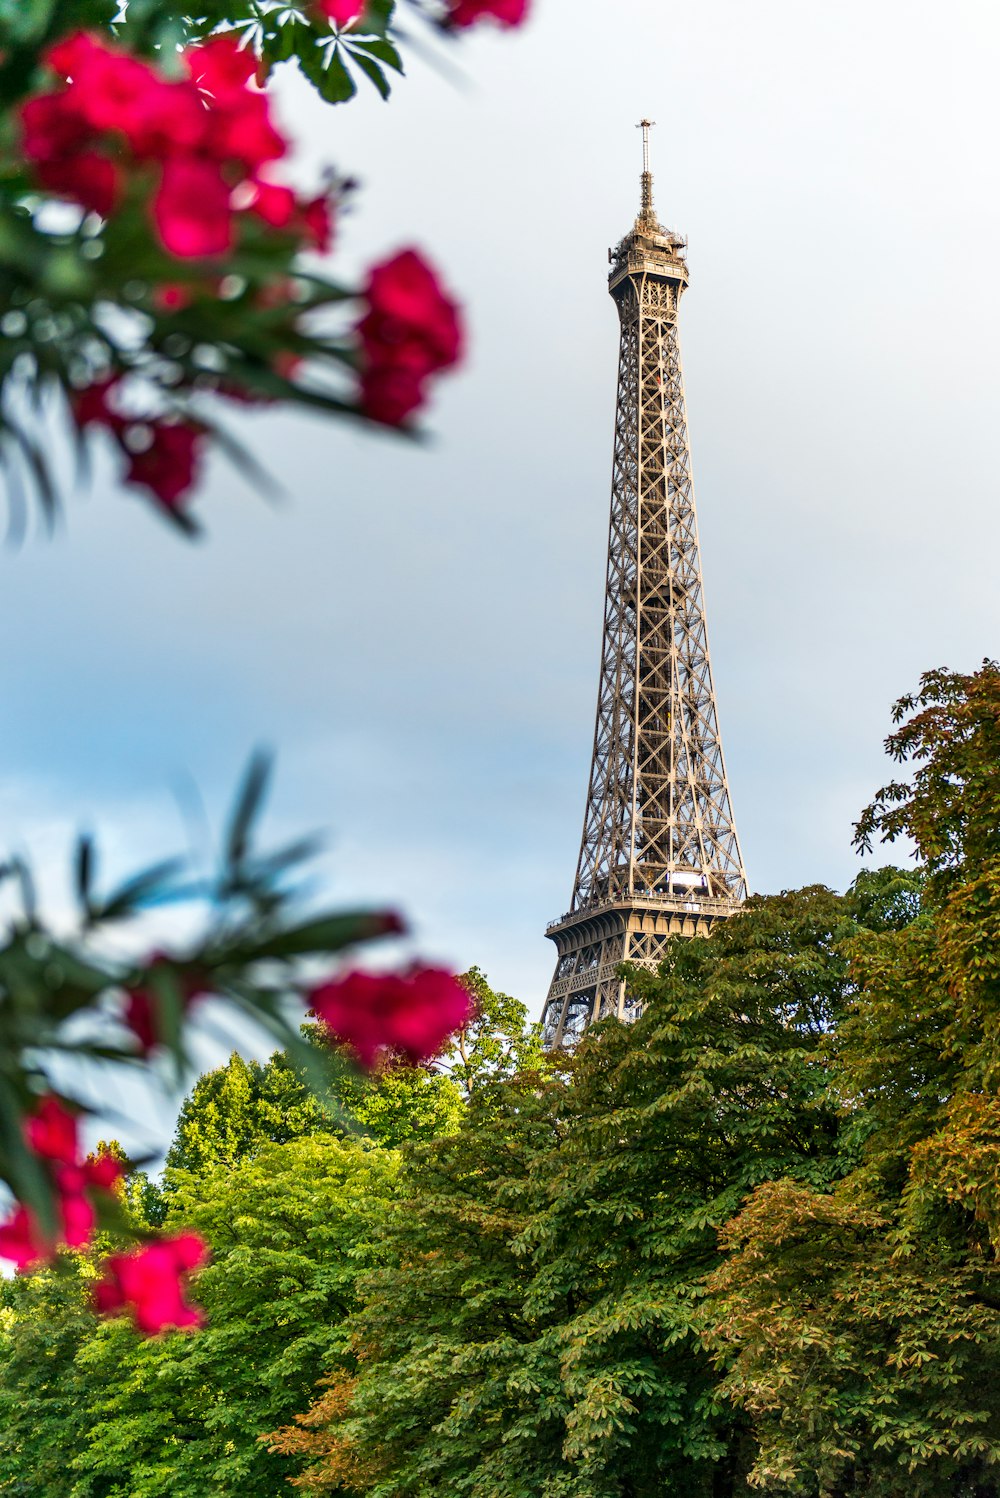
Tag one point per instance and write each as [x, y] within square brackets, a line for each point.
[417, 631]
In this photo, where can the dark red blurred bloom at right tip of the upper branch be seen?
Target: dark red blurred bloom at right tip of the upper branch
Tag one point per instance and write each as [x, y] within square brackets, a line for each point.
[409, 332]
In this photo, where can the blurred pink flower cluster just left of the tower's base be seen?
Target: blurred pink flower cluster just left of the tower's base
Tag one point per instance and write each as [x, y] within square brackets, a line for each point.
[406, 1015]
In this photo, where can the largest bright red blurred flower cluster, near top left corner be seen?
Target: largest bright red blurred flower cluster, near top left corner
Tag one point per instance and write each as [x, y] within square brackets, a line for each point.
[203, 142]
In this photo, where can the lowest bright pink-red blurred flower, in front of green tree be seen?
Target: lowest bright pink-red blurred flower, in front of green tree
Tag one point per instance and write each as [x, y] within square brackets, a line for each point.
[149, 1283]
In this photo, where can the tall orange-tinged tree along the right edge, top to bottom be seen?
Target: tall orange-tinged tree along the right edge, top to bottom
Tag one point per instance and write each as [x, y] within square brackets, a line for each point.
[862, 1328]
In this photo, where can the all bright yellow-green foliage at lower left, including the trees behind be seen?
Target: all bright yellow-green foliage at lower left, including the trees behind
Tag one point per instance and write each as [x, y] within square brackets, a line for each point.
[296, 1210]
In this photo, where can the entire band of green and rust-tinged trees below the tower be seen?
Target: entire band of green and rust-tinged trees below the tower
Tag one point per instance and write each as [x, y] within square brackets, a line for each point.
[748, 1244]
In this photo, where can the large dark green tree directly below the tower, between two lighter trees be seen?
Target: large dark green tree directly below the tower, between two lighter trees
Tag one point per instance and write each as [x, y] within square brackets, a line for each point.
[538, 1328]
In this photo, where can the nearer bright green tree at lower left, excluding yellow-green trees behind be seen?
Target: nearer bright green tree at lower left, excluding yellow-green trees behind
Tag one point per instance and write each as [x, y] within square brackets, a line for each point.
[91, 1409]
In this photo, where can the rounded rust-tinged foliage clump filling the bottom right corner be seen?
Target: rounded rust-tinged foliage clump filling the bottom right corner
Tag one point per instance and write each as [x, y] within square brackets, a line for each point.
[865, 1353]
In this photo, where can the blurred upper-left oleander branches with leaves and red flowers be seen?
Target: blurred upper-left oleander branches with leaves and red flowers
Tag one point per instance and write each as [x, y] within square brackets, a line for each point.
[149, 278]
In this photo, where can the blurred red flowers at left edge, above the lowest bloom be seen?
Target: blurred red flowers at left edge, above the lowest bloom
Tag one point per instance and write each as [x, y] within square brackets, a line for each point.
[53, 1135]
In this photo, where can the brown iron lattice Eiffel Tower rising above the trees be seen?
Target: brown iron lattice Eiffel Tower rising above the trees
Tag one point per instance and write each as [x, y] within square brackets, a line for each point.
[659, 856]
